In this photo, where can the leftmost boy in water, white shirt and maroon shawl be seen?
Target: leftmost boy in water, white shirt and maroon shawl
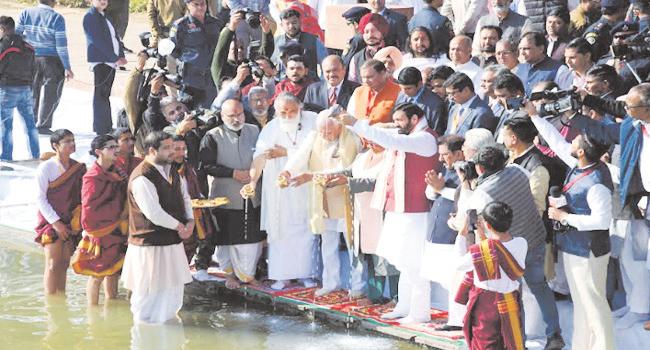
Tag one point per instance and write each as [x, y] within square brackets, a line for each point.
[58, 201]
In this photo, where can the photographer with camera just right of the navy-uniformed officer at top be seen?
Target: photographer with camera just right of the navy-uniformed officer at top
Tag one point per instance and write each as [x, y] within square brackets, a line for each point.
[229, 53]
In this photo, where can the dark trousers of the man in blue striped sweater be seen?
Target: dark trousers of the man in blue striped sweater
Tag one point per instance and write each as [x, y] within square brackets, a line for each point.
[49, 76]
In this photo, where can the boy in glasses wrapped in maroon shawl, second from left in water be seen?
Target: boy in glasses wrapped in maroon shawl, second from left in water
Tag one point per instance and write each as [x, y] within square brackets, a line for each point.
[104, 218]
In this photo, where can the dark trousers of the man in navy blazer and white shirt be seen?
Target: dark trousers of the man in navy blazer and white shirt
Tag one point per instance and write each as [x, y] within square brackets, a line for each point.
[104, 76]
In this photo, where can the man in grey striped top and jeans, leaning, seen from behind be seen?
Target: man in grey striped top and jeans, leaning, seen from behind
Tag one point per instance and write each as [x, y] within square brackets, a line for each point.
[510, 184]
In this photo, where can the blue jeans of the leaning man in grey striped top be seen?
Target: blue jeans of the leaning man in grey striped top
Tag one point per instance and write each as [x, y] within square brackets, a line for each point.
[536, 280]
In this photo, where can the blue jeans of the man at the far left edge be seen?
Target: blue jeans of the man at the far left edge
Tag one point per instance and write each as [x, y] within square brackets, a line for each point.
[19, 97]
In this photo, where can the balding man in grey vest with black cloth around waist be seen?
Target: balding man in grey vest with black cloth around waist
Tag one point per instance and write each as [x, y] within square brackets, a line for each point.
[226, 154]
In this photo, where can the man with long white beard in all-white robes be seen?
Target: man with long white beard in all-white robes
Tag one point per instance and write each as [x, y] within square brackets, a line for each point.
[284, 216]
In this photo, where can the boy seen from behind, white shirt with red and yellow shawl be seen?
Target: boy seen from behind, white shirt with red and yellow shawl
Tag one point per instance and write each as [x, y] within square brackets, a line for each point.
[491, 287]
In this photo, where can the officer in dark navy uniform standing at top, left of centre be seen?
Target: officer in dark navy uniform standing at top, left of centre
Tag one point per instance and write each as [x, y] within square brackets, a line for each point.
[196, 35]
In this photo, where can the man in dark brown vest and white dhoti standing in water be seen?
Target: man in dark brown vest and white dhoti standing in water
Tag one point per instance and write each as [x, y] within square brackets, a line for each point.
[160, 217]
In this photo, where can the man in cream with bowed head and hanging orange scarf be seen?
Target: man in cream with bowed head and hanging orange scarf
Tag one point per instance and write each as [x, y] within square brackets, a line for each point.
[331, 148]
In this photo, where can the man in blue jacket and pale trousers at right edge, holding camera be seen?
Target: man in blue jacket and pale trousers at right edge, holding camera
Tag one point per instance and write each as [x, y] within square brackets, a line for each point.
[632, 224]
